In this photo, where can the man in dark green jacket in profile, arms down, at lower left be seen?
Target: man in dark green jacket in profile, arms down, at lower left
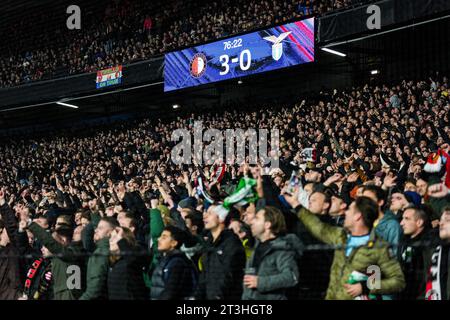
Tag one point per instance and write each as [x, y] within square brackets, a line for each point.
[98, 264]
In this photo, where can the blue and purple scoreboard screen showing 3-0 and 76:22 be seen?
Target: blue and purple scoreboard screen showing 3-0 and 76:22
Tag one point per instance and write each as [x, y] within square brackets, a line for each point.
[274, 48]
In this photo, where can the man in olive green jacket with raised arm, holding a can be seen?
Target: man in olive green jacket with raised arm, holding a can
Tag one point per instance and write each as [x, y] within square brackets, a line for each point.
[358, 251]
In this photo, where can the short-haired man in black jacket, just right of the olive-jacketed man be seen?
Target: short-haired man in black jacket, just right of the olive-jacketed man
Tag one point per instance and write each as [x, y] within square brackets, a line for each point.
[416, 248]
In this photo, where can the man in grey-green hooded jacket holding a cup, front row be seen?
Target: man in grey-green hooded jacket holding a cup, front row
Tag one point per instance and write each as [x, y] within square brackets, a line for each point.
[272, 268]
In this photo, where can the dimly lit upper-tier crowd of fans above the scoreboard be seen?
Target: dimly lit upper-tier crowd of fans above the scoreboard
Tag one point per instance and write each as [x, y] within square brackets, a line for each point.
[120, 32]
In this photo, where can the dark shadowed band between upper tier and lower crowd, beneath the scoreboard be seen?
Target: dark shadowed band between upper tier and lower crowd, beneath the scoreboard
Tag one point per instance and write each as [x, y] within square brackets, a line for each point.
[405, 54]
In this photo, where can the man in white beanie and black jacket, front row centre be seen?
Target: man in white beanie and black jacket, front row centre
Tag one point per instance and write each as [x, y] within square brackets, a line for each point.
[223, 260]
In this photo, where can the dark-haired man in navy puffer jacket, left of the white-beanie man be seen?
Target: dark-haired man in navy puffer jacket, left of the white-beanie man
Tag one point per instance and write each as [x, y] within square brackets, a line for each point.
[175, 277]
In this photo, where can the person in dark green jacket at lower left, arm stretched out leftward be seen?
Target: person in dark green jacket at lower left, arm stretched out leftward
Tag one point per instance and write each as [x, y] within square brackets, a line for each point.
[67, 260]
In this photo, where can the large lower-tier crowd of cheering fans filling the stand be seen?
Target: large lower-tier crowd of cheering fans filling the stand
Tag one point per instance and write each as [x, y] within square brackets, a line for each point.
[106, 214]
